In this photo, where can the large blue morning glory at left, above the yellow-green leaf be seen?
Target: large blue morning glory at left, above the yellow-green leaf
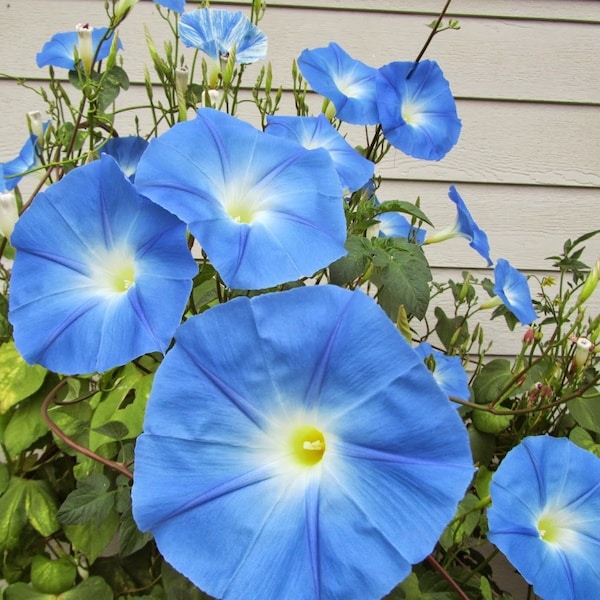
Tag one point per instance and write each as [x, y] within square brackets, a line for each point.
[101, 274]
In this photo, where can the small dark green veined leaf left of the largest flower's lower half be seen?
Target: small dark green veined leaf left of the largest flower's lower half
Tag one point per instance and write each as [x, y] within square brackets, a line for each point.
[91, 502]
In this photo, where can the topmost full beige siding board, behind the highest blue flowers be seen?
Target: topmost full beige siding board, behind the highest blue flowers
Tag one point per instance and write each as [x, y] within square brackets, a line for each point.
[488, 58]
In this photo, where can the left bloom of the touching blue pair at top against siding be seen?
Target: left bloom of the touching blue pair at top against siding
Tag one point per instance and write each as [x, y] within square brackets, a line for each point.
[347, 82]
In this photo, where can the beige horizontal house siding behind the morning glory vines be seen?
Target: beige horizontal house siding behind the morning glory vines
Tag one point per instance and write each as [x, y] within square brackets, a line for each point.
[525, 74]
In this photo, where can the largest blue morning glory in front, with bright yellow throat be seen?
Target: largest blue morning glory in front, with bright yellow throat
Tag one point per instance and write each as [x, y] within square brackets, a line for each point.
[282, 458]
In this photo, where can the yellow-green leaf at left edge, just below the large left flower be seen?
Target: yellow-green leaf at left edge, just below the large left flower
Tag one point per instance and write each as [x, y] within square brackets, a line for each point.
[18, 380]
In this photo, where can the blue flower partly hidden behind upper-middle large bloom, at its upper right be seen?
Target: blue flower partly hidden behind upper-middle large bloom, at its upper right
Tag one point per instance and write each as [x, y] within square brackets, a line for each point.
[353, 169]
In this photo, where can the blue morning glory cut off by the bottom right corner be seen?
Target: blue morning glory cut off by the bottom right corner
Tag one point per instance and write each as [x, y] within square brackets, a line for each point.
[545, 516]
